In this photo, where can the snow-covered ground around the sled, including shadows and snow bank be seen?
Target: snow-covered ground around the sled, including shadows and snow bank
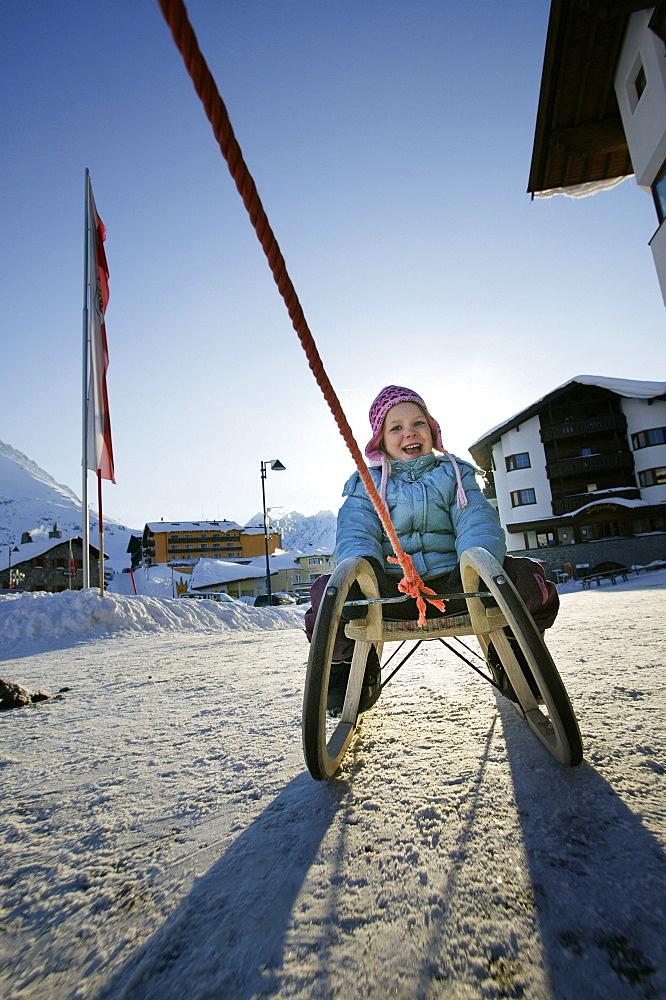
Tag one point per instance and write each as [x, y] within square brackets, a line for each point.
[161, 839]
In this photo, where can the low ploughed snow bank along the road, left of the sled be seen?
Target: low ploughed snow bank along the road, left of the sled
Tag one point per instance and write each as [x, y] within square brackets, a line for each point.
[87, 613]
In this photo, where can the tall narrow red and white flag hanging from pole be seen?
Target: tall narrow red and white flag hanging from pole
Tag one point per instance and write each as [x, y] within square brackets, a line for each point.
[100, 448]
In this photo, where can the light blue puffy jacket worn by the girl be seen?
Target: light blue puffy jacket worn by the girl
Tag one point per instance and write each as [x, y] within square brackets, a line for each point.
[421, 498]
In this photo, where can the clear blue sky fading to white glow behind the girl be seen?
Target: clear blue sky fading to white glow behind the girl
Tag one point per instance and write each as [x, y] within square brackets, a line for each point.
[391, 144]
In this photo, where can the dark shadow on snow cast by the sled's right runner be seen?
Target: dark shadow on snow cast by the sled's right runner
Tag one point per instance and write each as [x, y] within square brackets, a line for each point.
[598, 876]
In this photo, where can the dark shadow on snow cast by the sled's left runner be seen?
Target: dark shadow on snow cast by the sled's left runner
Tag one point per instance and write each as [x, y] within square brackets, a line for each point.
[227, 938]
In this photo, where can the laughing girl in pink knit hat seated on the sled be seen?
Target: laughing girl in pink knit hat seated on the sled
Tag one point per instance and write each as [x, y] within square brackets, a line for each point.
[438, 511]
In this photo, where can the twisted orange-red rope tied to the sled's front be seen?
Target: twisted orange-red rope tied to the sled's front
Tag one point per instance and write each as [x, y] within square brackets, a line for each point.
[176, 17]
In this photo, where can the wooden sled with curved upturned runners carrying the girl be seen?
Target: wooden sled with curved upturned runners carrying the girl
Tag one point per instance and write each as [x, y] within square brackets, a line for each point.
[492, 603]
